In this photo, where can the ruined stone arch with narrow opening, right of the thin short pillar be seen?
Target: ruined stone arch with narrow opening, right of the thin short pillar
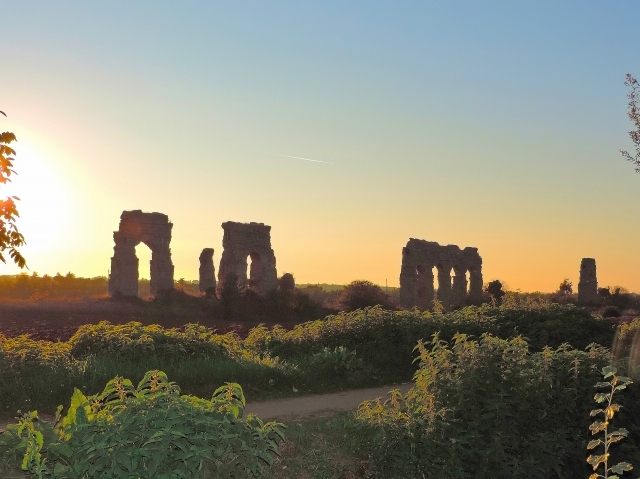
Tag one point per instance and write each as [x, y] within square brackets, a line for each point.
[248, 240]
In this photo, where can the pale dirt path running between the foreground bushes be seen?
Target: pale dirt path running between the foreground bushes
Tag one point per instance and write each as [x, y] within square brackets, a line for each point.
[305, 406]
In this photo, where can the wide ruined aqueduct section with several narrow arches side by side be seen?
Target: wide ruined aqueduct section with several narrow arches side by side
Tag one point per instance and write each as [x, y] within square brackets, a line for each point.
[416, 277]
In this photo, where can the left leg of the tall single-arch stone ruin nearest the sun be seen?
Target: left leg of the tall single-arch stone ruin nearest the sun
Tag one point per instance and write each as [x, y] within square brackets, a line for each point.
[123, 278]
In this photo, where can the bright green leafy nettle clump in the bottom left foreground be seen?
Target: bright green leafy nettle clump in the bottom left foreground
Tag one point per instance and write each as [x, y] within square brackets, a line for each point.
[146, 432]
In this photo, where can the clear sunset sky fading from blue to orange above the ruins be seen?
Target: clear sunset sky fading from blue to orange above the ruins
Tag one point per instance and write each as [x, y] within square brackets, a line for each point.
[492, 124]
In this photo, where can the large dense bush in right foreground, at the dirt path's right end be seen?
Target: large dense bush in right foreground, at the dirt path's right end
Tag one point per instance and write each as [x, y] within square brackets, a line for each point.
[490, 408]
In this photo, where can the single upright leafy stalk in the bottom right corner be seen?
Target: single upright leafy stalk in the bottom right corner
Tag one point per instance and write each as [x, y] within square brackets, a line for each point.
[610, 436]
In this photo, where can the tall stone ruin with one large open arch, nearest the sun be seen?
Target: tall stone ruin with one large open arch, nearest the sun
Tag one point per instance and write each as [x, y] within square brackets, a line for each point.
[152, 229]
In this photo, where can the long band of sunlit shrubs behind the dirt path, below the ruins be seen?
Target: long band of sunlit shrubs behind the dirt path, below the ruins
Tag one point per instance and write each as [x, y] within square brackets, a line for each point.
[363, 348]
